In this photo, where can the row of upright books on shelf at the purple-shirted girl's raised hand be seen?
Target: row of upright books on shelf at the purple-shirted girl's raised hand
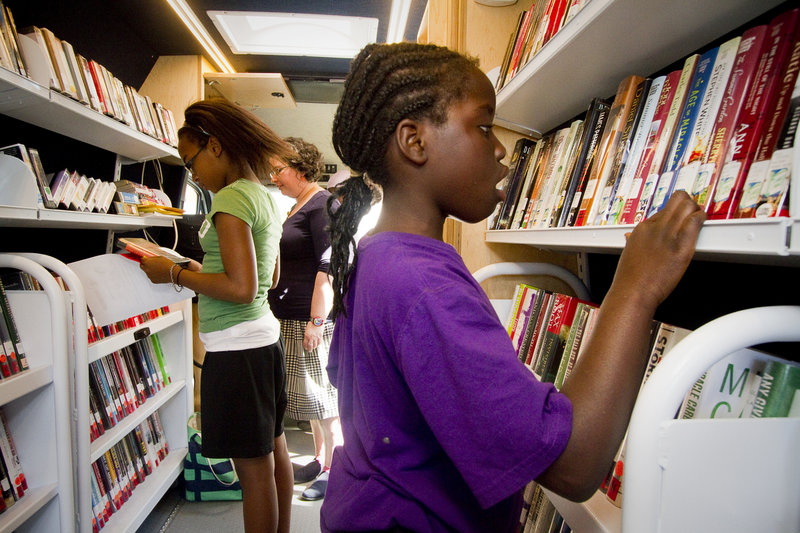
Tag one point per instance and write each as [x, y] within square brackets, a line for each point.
[721, 128]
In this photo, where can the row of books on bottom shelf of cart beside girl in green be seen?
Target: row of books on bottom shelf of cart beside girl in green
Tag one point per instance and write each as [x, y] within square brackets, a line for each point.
[124, 466]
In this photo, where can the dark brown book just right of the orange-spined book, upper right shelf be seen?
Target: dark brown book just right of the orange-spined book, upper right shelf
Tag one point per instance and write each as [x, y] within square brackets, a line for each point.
[612, 179]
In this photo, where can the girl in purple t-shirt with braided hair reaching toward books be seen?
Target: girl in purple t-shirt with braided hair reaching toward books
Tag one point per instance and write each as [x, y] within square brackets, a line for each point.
[443, 427]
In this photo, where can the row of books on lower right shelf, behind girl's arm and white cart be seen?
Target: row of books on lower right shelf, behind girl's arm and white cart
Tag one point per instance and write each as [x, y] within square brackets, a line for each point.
[548, 330]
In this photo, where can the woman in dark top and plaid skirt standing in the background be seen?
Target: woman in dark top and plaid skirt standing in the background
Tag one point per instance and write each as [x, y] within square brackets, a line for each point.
[302, 300]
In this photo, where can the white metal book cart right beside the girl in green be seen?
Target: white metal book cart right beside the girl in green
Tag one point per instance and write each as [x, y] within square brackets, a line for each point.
[174, 403]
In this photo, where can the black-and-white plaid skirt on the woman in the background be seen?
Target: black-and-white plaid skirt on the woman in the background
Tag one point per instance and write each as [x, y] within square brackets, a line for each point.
[311, 394]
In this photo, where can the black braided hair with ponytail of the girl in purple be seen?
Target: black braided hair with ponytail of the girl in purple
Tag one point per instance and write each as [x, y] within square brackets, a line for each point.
[386, 84]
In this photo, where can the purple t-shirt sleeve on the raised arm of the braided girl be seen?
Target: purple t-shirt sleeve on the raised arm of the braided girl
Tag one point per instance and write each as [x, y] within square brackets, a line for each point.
[499, 425]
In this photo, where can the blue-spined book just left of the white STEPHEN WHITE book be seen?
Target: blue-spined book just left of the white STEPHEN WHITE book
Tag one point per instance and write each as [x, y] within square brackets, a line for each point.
[683, 131]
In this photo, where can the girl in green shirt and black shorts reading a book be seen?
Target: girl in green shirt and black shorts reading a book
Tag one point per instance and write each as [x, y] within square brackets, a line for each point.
[228, 151]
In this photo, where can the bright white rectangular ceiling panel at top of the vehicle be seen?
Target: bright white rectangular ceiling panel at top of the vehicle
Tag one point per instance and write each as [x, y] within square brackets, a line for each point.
[294, 34]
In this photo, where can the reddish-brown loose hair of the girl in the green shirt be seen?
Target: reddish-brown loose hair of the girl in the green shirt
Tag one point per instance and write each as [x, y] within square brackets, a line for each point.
[246, 139]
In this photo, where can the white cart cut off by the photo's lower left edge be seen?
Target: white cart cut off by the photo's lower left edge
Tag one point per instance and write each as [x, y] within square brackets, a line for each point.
[37, 404]
